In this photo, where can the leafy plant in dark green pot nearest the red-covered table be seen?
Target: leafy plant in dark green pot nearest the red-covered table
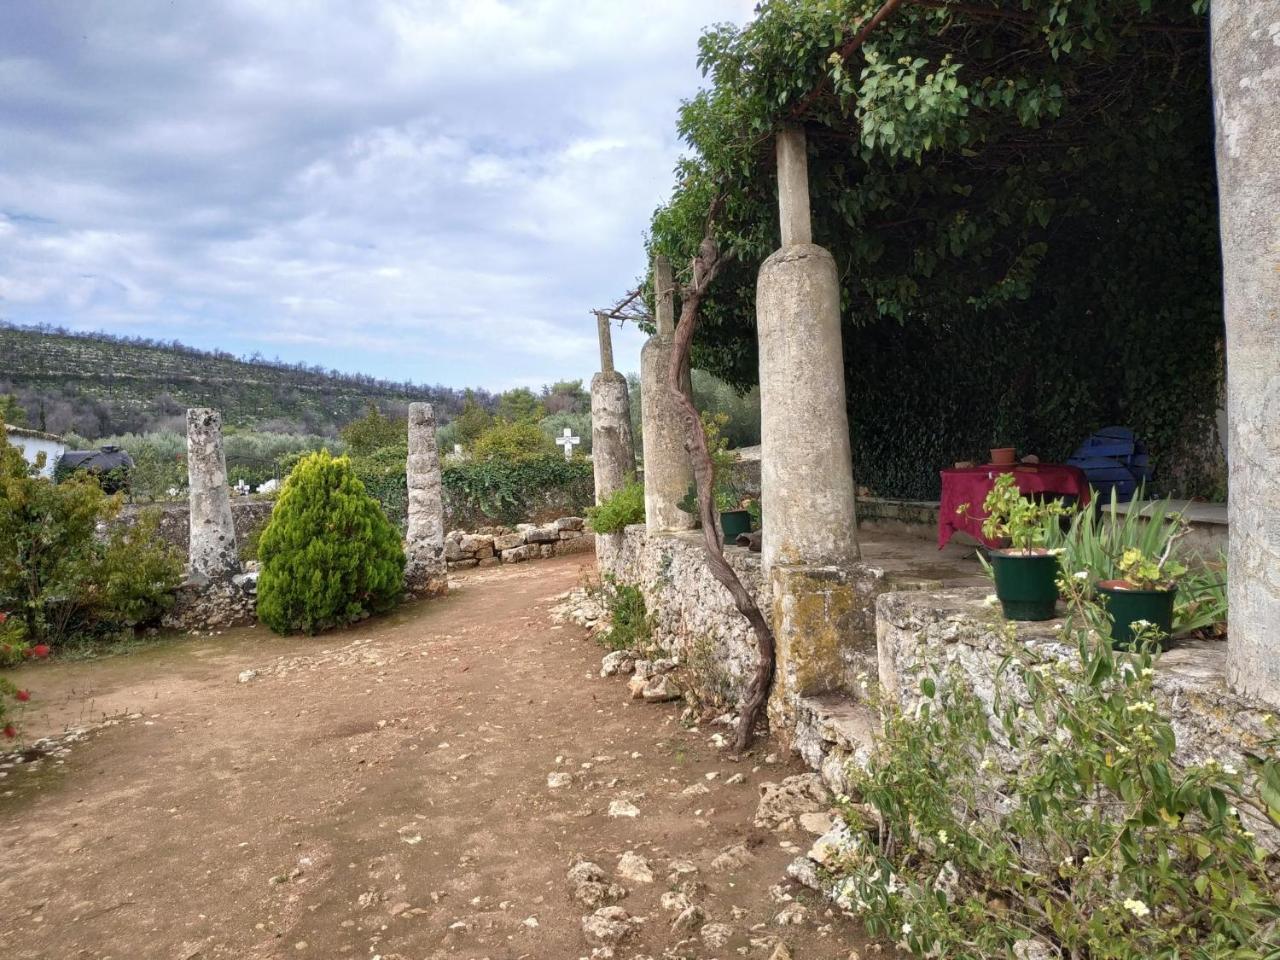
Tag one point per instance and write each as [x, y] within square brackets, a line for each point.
[1026, 572]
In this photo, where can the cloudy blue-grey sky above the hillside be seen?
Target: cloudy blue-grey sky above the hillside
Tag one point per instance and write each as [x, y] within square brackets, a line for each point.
[437, 190]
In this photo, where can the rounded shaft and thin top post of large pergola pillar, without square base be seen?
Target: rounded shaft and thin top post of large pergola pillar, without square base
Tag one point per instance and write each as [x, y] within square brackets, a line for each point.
[807, 481]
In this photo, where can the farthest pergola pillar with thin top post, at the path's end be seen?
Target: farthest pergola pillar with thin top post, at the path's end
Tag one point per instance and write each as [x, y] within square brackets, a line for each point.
[614, 458]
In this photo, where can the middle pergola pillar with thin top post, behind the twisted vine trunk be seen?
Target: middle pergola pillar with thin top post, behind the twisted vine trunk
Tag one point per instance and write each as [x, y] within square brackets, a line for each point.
[668, 470]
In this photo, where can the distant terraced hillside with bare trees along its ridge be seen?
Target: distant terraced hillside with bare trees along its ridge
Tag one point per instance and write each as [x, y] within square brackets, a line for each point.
[98, 385]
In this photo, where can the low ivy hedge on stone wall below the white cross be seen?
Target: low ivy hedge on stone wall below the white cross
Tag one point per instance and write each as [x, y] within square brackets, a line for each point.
[511, 492]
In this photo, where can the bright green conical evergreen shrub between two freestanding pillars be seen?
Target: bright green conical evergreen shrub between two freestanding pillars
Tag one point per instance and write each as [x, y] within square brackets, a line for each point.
[328, 556]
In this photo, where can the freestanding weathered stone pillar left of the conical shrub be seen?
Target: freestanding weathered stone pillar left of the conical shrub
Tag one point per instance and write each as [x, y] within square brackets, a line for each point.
[212, 551]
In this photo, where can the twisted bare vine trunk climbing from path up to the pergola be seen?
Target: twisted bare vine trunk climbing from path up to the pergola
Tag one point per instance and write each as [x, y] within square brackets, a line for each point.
[706, 267]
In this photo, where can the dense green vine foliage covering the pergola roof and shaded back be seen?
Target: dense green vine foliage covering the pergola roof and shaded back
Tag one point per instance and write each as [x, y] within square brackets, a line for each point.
[1007, 188]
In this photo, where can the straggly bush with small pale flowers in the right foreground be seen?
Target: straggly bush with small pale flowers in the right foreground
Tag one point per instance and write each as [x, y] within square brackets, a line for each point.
[1063, 820]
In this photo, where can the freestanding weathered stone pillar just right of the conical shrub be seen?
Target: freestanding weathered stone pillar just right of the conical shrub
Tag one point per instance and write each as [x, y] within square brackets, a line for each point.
[426, 570]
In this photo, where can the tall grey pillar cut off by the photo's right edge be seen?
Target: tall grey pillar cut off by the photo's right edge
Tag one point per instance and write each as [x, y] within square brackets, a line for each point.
[1246, 54]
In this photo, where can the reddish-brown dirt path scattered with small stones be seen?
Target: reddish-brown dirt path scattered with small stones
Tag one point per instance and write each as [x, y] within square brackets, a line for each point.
[382, 793]
